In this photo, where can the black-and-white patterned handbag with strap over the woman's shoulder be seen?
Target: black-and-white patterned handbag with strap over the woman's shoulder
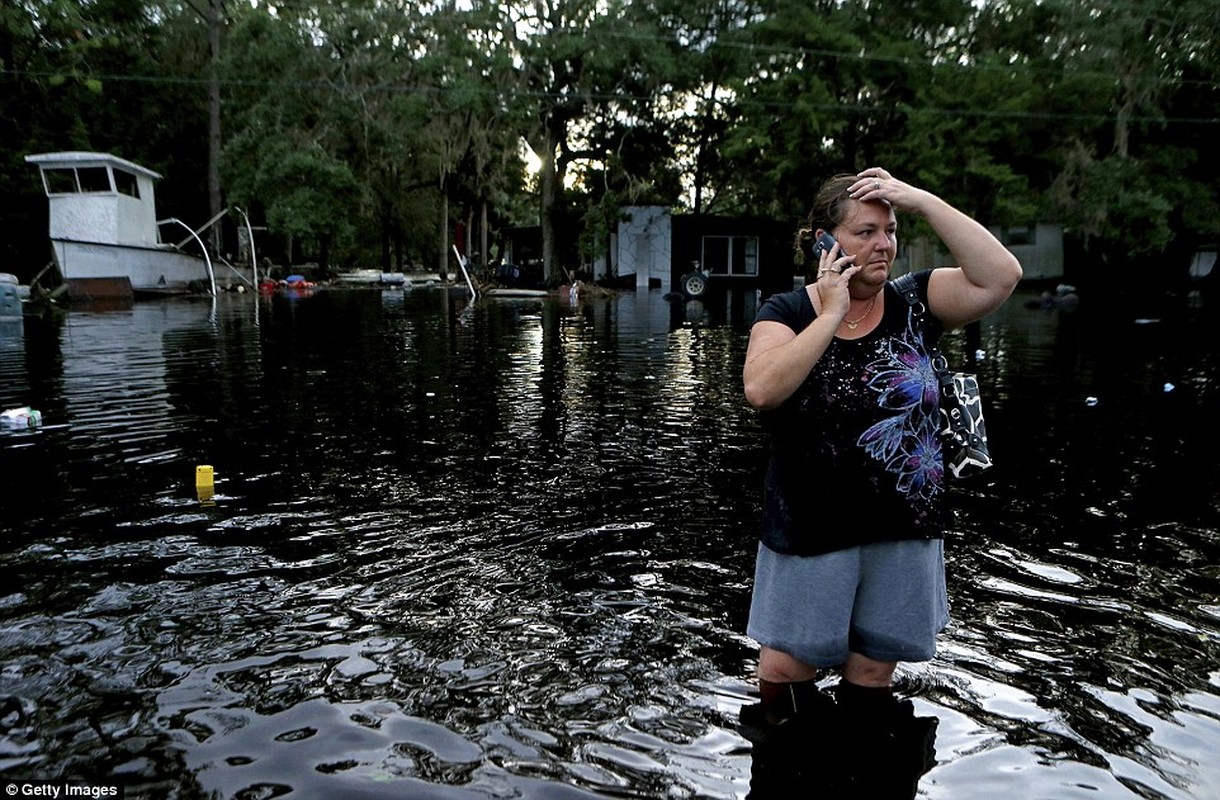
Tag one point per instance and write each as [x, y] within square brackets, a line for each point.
[963, 434]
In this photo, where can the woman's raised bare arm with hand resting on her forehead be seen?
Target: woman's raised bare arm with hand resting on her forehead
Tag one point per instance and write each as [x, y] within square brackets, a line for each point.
[988, 271]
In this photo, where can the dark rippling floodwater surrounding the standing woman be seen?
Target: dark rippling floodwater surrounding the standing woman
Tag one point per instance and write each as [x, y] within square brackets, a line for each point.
[504, 549]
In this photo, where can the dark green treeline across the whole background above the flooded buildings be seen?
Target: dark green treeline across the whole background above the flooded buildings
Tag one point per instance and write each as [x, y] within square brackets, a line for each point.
[369, 132]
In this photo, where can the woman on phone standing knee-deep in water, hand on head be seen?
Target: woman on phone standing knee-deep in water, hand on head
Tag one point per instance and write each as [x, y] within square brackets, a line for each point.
[851, 563]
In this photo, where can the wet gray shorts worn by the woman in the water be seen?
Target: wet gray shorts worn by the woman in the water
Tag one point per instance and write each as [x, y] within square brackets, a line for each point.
[886, 602]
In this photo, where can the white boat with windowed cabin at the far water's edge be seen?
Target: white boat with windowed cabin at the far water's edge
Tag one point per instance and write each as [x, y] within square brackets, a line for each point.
[106, 236]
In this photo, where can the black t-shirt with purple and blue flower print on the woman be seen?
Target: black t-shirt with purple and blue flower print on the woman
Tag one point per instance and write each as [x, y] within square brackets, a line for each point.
[856, 457]
